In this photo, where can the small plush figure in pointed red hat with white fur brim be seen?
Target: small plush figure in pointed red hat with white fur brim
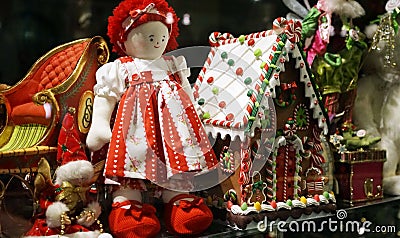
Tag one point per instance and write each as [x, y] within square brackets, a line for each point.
[65, 207]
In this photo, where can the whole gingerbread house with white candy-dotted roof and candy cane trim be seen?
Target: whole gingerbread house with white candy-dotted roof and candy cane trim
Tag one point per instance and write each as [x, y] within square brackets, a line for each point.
[258, 100]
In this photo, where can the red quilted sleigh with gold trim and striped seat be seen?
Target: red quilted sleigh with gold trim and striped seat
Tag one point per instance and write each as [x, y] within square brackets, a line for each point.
[31, 111]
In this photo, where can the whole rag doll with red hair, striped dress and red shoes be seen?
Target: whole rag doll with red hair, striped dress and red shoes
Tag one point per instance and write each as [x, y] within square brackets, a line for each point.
[157, 135]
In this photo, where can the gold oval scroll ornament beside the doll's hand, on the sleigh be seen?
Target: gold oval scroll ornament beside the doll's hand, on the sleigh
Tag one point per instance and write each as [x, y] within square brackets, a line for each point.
[85, 111]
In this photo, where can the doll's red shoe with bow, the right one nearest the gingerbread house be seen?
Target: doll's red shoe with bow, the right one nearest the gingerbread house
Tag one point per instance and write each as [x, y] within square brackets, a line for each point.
[187, 217]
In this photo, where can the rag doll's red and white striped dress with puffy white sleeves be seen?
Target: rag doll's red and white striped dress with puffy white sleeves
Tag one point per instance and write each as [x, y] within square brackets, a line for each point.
[157, 132]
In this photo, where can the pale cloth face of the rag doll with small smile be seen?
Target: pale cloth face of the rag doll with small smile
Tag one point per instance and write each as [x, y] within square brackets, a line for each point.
[147, 41]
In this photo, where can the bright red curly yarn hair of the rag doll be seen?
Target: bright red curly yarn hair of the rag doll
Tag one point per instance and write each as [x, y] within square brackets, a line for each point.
[115, 30]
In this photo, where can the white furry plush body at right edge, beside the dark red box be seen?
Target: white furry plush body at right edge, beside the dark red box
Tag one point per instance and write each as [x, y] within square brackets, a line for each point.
[377, 110]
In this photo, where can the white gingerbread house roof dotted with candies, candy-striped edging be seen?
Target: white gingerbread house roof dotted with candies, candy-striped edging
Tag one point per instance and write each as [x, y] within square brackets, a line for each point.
[241, 75]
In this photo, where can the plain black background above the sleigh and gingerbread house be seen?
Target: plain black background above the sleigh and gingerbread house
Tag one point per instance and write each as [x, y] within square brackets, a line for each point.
[28, 29]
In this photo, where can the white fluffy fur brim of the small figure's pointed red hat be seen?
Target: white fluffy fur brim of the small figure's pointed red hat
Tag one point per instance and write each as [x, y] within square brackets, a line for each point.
[77, 172]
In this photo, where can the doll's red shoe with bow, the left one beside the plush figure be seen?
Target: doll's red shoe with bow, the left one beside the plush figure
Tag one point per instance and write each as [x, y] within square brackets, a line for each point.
[138, 221]
